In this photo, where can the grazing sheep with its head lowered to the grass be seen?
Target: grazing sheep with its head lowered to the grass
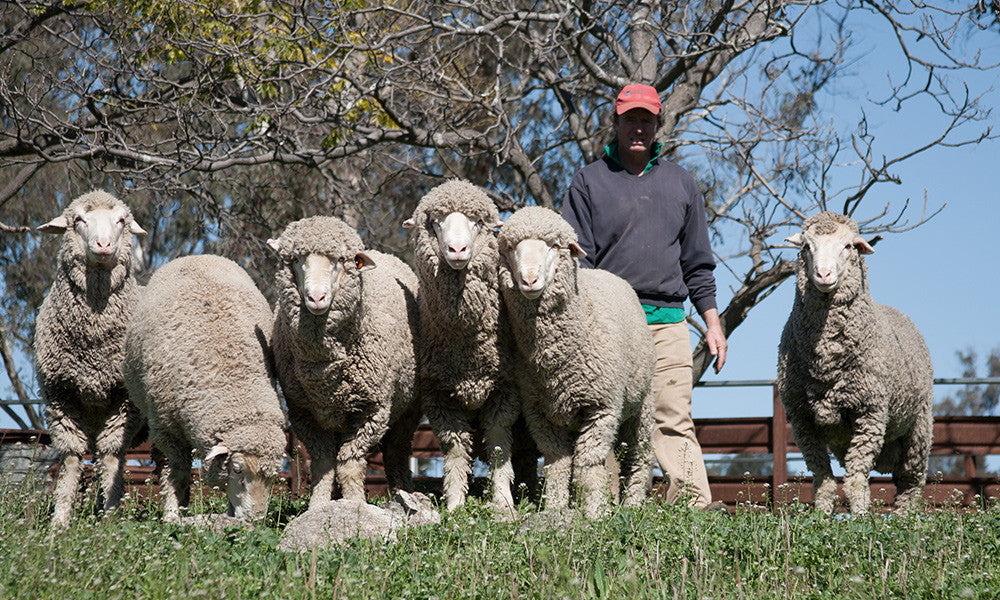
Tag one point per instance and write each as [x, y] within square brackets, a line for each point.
[198, 366]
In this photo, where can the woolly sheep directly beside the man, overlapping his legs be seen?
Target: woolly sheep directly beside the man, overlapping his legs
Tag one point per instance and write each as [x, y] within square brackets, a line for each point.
[585, 361]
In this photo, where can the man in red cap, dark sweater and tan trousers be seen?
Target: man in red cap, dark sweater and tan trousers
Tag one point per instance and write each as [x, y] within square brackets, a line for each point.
[643, 218]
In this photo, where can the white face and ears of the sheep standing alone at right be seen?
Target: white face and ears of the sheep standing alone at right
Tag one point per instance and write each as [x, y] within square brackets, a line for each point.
[827, 254]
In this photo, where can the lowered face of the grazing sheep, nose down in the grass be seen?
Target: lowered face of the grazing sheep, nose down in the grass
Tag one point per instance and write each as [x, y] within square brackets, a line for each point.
[248, 485]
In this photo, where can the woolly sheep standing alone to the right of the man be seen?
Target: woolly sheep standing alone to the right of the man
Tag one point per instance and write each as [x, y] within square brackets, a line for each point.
[854, 376]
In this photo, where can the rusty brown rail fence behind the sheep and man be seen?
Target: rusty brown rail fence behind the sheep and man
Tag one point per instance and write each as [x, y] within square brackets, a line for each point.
[968, 437]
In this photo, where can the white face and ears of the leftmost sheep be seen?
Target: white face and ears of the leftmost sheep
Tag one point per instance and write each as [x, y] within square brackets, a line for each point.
[101, 233]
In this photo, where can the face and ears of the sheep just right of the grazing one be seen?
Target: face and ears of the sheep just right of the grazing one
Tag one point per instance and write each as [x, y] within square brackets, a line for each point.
[321, 279]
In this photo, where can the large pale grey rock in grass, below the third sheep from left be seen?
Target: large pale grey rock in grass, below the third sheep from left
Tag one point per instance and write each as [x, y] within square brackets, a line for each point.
[336, 522]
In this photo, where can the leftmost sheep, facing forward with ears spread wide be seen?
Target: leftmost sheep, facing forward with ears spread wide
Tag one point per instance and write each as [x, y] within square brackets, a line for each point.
[80, 344]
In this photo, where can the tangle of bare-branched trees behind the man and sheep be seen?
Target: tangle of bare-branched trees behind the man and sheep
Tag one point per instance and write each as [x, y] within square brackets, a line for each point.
[248, 113]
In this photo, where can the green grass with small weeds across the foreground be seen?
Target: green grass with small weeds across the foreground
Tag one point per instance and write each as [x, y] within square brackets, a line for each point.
[658, 551]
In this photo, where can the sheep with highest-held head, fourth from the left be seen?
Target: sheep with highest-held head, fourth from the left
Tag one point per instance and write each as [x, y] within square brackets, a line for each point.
[465, 347]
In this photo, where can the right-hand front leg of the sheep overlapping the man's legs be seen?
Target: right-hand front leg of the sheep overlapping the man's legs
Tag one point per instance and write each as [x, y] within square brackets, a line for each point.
[593, 444]
